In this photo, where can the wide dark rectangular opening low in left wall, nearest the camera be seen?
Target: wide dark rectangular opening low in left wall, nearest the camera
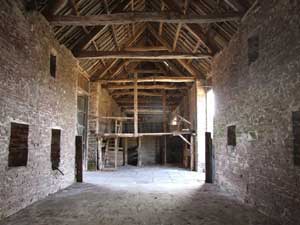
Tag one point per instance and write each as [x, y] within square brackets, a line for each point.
[18, 145]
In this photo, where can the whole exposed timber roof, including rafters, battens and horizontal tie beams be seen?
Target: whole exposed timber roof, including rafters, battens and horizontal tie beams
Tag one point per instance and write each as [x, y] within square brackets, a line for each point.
[167, 44]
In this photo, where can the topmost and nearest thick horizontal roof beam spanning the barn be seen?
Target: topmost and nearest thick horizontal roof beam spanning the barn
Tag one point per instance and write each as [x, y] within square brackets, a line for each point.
[139, 17]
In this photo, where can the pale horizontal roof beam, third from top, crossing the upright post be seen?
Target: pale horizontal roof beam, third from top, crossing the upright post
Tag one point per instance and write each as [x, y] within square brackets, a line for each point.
[166, 79]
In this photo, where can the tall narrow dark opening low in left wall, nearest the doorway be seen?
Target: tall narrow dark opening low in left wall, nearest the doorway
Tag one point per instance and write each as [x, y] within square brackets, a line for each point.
[55, 148]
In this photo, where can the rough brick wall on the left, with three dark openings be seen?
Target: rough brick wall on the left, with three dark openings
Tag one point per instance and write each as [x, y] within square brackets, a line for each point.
[29, 95]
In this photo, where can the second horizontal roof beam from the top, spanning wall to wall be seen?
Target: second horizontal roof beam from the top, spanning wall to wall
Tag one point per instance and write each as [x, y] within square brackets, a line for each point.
[139, 55]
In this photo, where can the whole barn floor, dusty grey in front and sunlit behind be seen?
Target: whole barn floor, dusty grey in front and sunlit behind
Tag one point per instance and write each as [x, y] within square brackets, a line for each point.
[143, 196]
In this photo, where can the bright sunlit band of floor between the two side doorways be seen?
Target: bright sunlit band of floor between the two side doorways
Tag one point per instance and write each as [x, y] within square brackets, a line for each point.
[146, 179]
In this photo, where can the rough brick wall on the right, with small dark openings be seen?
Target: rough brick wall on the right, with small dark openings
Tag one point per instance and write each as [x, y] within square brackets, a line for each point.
[259, 99]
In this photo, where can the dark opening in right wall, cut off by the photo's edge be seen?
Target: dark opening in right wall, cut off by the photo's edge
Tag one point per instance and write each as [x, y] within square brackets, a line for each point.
[296, 133]
